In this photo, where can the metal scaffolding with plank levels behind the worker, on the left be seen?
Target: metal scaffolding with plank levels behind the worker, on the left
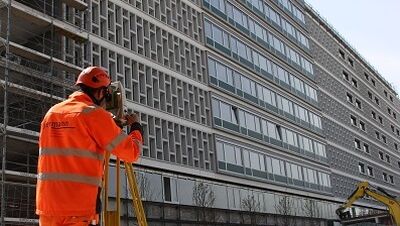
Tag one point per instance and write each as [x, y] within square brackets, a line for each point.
[36, 75]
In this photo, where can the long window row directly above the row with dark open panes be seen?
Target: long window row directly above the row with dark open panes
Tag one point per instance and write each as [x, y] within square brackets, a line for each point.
[239, 84]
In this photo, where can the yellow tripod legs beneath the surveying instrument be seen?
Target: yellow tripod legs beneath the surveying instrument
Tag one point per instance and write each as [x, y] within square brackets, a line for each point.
[112, 218]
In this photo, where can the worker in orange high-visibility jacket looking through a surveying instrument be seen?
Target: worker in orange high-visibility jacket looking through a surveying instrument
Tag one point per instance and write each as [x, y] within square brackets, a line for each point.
[75, 135]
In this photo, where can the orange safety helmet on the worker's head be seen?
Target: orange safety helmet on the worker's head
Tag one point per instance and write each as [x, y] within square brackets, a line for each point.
[93, 77]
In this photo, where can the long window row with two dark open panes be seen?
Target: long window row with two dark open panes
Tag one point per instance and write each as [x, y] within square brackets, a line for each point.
[233, 118]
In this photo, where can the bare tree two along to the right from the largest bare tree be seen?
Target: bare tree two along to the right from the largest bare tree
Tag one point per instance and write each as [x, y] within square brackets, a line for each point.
[285, 208]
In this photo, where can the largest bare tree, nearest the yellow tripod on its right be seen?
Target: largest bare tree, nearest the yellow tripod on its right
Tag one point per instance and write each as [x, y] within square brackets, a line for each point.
[203, 195]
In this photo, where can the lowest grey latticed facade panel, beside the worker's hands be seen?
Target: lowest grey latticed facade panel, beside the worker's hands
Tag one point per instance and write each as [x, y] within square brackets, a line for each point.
[175, 143]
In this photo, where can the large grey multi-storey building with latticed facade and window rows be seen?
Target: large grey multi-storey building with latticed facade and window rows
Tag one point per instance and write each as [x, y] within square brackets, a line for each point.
[255, 112]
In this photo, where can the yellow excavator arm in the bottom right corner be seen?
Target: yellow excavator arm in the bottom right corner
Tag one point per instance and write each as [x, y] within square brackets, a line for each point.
[364, 189]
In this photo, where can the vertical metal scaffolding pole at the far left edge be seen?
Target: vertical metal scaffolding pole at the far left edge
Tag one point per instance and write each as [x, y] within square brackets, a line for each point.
[5, 121]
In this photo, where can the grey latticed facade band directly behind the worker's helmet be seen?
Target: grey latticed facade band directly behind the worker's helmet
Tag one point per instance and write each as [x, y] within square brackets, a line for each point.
[154, 88]
